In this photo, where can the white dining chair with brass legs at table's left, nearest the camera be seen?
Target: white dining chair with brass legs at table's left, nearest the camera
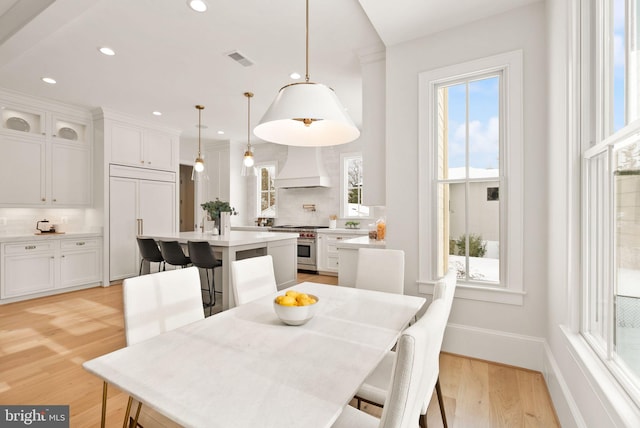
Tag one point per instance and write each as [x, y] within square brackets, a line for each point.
[155, 304]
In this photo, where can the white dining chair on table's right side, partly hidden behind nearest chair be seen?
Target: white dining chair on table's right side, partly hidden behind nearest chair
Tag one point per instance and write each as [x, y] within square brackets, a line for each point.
[374, 389]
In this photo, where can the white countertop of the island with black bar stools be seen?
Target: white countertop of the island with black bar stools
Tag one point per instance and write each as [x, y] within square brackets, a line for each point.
[235, 237]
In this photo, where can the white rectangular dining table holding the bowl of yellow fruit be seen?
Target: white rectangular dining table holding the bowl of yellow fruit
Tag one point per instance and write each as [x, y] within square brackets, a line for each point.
[245, 368]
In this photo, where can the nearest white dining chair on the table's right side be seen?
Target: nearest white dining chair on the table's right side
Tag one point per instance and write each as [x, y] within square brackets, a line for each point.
[414, 372]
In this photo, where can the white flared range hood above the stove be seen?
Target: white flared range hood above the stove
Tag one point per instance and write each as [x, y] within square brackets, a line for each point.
[303, 168]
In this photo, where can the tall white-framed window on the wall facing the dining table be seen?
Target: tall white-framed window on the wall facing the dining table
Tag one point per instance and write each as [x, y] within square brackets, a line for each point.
[471, 146]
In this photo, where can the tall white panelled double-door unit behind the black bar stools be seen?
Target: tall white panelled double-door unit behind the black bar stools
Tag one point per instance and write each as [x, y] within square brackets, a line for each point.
[141, 202]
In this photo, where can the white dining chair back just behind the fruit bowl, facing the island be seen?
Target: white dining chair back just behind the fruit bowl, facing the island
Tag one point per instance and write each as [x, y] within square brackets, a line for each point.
[252, 278]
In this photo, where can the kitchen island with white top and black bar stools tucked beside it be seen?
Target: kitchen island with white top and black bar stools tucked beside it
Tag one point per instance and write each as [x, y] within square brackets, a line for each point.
[238, 245]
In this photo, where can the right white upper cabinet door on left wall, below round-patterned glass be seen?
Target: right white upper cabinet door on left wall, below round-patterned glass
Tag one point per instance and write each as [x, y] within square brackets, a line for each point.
[70, 175]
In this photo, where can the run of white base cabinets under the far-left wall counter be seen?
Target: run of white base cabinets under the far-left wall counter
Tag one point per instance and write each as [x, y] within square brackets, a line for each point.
[41, 266]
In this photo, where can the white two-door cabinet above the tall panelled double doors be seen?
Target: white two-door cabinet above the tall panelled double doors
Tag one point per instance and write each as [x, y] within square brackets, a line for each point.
[142, 147]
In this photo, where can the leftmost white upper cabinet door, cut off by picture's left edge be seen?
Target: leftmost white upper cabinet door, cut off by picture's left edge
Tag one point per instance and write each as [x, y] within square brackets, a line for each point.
[22, 171]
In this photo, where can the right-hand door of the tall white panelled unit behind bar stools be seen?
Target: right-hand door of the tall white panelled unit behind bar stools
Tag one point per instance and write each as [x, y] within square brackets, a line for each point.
[157, 207]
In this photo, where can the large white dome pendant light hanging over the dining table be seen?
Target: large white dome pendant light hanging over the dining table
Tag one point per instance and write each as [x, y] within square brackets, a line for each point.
[306, 114]
